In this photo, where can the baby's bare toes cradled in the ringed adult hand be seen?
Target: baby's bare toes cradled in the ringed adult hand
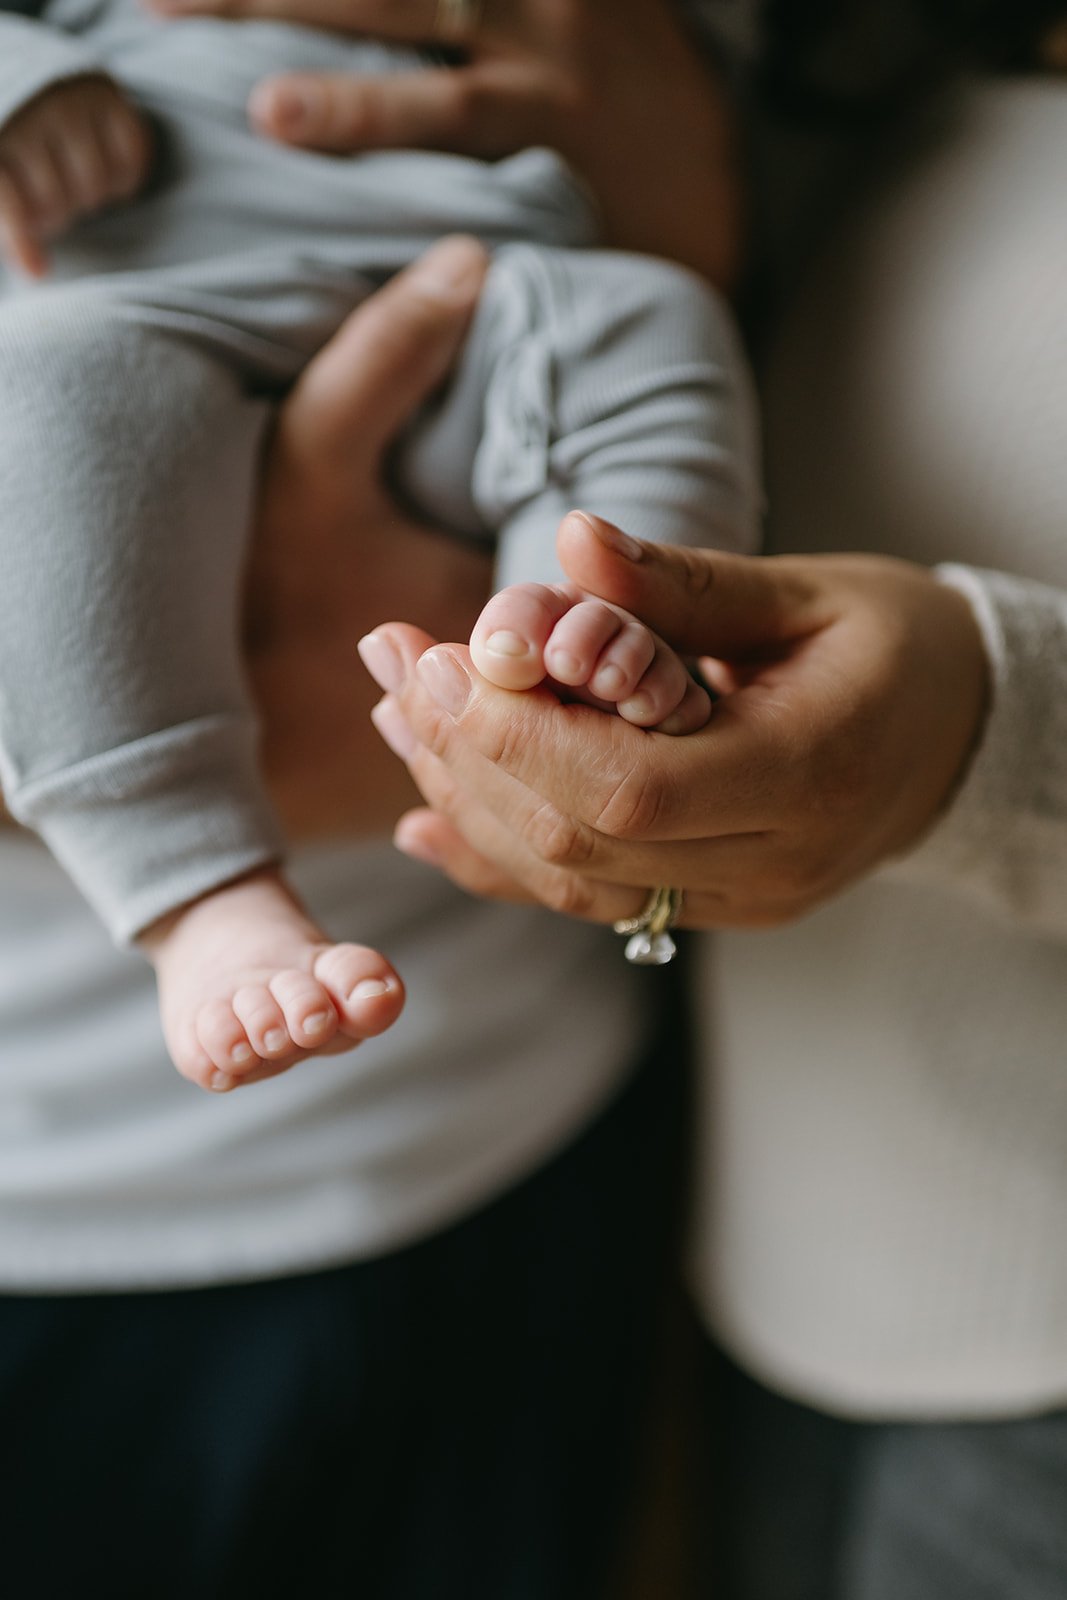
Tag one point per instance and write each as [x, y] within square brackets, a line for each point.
[596, 650]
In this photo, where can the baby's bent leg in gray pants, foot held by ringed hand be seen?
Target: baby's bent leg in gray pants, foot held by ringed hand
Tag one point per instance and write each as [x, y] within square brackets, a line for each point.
[605, 382]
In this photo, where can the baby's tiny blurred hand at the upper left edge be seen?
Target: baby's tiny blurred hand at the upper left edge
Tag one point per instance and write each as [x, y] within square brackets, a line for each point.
[73, 151]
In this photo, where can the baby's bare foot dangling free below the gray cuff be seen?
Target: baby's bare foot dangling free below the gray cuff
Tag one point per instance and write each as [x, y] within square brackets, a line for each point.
[250, 986]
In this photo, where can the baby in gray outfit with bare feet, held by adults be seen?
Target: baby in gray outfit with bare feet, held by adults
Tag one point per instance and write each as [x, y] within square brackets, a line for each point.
[193, 271]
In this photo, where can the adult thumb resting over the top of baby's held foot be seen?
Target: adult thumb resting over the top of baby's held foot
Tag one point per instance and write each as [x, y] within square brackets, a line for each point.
[703, 602]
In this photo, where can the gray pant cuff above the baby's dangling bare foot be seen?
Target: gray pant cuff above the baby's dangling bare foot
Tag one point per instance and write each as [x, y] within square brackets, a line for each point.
[154, 825]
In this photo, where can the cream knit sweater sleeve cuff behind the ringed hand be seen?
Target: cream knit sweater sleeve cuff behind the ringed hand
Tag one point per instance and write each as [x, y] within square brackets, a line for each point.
[1004, 841]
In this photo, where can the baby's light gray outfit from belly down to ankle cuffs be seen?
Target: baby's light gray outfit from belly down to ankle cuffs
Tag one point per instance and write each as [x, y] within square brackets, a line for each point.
[135, 388]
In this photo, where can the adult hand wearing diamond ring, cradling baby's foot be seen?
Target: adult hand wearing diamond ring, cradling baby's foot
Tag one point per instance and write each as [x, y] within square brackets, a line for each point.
[853, 695]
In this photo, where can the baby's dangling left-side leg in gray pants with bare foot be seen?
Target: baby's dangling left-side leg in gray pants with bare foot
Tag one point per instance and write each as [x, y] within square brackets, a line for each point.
[127, 742]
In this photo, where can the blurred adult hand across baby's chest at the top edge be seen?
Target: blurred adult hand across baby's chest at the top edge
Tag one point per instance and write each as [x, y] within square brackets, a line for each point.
[615, 86]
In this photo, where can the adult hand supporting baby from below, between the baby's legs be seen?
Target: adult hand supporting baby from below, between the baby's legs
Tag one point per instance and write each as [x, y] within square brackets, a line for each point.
[332, 553]
